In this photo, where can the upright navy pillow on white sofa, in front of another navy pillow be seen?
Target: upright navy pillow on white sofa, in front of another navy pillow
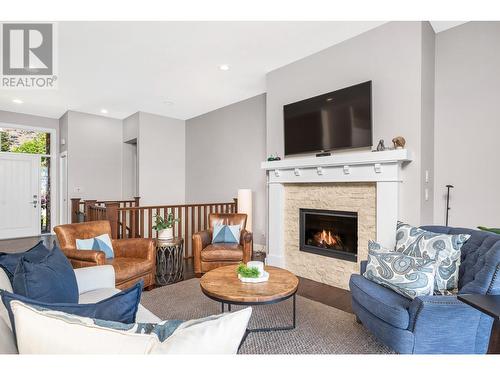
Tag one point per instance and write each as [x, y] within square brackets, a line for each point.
[49, 279]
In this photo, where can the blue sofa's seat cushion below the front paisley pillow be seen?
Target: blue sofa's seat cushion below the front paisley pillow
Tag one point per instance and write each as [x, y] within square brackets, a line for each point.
[382, 302]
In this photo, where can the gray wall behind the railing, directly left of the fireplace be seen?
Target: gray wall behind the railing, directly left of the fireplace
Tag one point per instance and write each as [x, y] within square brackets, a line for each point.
[224, 149]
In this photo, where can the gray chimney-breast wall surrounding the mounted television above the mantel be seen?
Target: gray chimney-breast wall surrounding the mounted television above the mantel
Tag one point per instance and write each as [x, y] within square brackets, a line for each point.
[390, 56]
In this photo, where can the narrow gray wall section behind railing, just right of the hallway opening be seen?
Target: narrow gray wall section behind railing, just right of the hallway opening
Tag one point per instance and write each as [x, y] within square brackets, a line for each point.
[161, 153]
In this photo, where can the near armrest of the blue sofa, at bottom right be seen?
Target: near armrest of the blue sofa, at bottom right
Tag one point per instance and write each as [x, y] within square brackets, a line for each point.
[446, 323]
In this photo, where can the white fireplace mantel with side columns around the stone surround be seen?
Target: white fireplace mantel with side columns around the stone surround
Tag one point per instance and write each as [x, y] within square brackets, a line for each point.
[382, 168]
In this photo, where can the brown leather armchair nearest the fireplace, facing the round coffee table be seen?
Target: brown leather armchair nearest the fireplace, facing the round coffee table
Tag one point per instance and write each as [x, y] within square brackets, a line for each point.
[208, 256]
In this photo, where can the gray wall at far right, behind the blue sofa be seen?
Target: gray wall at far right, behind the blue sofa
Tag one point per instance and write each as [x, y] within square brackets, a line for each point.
[467, 123]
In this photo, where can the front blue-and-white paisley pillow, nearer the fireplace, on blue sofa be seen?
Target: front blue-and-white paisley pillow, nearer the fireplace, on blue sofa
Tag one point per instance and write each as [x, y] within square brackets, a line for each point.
[407, 275]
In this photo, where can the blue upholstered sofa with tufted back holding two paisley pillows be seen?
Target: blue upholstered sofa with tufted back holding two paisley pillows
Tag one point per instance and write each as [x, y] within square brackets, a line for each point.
[434, 324]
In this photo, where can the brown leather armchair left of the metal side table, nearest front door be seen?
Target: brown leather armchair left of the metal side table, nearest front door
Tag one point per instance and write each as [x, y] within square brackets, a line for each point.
[134, 258]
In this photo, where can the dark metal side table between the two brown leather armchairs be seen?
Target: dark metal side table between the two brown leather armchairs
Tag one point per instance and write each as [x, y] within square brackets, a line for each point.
[169, 261]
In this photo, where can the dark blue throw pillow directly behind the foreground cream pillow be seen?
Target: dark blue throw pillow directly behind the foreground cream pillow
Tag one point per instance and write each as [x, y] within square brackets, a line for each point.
[121, 307]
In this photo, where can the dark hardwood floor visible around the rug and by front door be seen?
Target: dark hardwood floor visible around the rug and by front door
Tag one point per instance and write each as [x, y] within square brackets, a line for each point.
[326, 294]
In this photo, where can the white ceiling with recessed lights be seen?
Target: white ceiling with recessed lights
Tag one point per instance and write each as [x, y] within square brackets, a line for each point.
[171, 68]
